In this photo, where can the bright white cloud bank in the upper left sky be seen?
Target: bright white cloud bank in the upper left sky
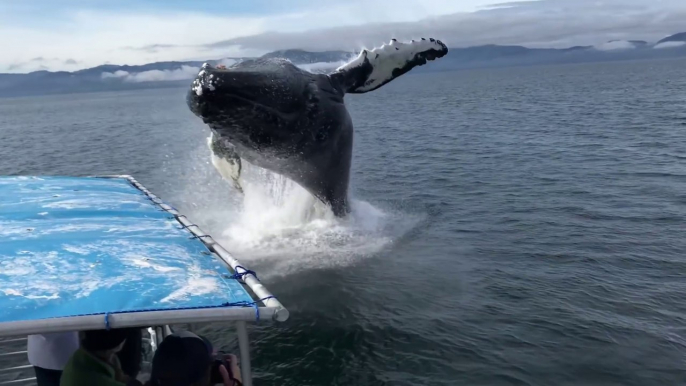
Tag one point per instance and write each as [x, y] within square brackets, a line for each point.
[92, 38]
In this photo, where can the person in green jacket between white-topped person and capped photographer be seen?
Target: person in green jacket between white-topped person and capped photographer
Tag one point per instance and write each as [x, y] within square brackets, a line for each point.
[96, 361]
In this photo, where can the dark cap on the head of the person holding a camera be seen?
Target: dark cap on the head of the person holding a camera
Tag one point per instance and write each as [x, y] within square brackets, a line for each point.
[182, 359]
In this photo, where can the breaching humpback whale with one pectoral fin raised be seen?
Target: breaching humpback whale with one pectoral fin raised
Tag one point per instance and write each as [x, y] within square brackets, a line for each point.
[274, 115]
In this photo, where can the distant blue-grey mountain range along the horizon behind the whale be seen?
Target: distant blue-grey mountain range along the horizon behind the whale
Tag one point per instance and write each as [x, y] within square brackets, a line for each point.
[175, 74]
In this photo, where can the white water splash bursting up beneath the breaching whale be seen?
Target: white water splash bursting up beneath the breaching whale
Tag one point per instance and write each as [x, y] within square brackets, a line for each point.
[277, 226]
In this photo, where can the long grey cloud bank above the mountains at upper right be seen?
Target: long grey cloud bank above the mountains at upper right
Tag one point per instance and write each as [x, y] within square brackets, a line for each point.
[551, 23]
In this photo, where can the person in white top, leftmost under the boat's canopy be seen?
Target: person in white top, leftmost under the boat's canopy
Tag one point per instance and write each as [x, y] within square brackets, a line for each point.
[49, 353]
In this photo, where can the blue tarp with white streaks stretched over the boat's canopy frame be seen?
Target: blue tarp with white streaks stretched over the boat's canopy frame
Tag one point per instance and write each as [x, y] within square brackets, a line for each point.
[81, 246]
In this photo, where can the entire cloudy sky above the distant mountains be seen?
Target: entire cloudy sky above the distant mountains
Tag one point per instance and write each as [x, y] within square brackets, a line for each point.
[74, 34]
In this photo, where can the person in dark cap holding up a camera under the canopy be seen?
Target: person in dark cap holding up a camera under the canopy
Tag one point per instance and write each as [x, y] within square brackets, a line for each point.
[186, 359]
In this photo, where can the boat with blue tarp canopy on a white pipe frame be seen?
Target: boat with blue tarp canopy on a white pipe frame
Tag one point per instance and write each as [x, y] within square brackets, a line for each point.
[85, 253]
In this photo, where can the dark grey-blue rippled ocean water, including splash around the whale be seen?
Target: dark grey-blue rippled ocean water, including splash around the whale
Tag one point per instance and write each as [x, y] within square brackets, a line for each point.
[522, 226]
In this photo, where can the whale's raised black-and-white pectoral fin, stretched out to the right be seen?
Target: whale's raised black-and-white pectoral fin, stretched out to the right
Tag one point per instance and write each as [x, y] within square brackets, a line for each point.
[374, 68]
